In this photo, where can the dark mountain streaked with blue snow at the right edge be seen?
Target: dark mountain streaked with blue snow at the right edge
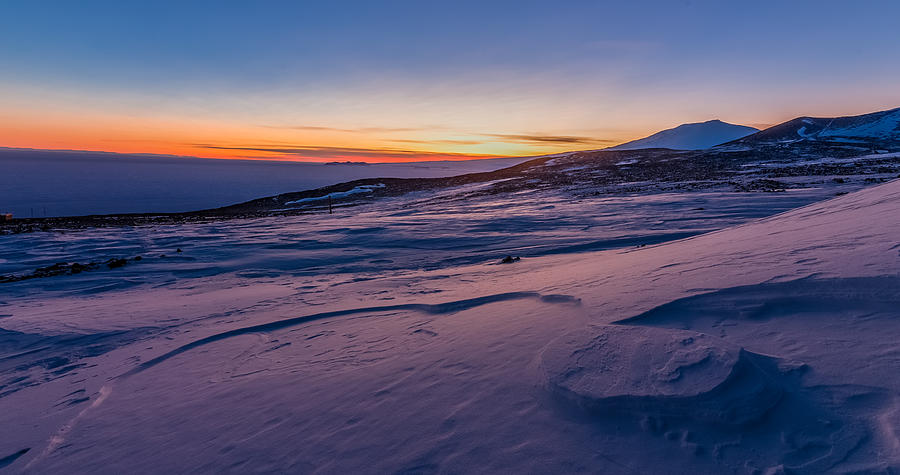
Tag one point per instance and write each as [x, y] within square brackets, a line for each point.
[874, 127]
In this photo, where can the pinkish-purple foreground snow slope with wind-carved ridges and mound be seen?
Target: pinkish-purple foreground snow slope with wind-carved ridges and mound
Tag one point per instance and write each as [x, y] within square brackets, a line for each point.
[765, 347]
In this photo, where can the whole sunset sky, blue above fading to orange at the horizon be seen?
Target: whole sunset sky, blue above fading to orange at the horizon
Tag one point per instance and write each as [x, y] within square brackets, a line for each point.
[426, 80]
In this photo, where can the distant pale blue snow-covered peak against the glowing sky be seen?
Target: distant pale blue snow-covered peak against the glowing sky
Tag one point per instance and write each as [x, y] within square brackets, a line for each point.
[696, 136]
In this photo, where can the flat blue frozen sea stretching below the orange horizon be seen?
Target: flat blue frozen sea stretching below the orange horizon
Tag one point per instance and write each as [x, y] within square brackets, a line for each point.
[38, 183]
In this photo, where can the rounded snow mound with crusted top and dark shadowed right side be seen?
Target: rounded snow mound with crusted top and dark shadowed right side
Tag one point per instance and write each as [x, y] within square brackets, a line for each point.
[660, 372]
